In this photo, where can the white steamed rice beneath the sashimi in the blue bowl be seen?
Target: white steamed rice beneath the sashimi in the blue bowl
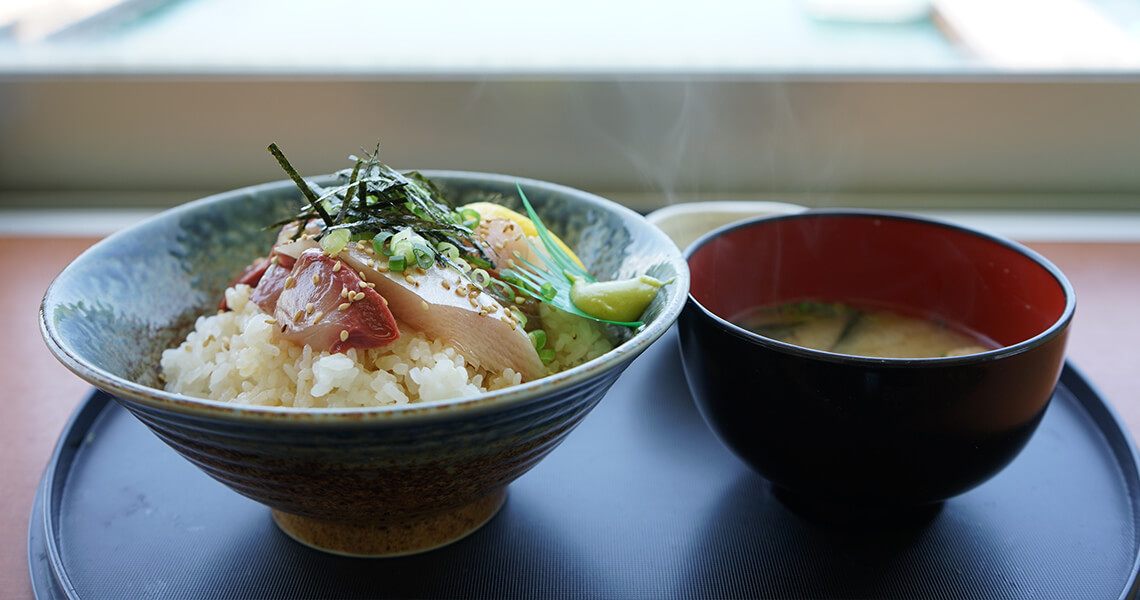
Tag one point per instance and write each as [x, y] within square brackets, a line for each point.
[235, 356]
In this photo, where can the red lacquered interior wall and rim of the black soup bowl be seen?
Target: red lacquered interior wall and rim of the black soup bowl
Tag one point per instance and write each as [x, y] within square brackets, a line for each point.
[984, 283]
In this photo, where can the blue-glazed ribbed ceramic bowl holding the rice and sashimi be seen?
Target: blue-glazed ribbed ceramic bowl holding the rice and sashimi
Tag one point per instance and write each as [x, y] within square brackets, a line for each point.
[369, 482]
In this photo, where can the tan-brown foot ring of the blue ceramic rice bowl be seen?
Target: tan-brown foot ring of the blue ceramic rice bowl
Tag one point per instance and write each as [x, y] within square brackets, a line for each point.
[392, 539]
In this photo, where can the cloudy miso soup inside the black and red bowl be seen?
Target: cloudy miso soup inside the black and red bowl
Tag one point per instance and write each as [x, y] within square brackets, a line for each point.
[877, 333]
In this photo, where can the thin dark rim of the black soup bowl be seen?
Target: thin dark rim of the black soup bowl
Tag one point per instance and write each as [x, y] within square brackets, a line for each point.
[1056, 329]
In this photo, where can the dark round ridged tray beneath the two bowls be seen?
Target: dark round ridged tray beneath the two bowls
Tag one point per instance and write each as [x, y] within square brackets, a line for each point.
[640, 502]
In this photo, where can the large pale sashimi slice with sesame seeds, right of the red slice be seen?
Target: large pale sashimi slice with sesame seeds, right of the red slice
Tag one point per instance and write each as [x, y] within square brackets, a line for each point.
[447, 306]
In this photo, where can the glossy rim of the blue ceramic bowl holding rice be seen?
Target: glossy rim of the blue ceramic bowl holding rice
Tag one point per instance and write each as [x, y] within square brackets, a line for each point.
[620, 358]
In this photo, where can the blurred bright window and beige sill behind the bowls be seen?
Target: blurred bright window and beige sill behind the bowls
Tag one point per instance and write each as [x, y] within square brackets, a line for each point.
[982, 106]
